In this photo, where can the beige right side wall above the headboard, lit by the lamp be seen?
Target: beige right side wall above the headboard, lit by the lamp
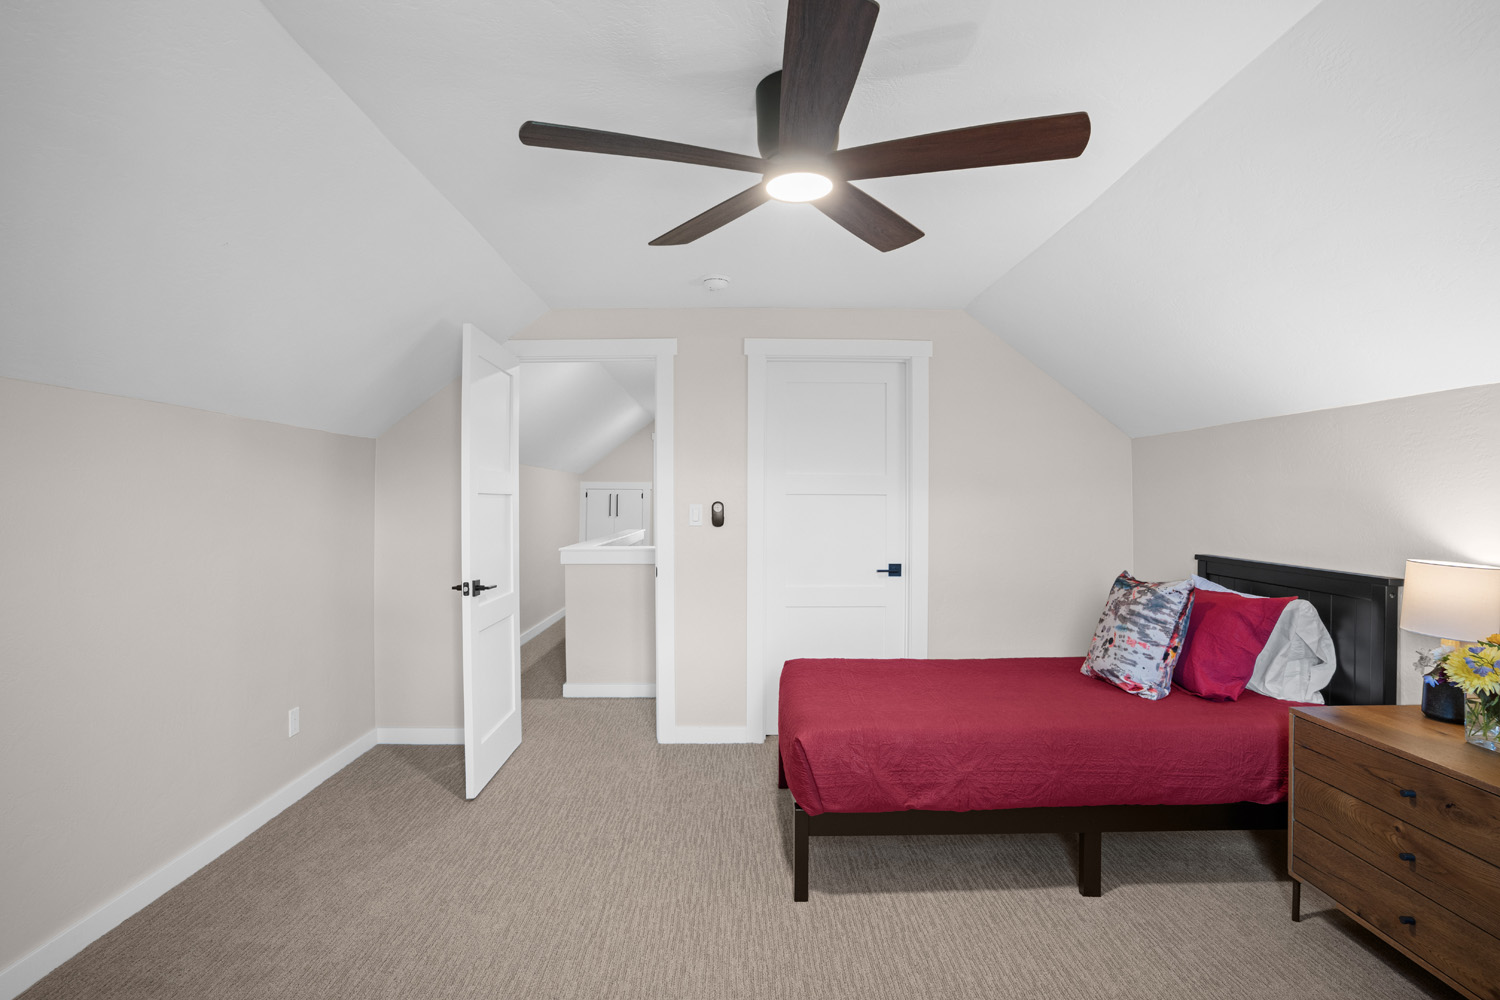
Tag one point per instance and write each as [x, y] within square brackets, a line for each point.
[1358, 488]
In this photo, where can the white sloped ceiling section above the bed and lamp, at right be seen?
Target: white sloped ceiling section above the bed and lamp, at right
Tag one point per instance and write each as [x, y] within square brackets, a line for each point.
[1324, 232]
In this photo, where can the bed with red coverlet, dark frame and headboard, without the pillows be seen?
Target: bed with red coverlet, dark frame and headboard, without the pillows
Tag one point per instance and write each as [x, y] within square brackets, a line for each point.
[880, 749]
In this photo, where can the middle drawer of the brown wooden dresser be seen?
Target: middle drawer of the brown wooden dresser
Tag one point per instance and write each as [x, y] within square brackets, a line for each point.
[1463, 884]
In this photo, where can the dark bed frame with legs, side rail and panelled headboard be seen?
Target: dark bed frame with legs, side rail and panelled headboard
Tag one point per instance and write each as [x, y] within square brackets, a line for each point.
[1361, 615]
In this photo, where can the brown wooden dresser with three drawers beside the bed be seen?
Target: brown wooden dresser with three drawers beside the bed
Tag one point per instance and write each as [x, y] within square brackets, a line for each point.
[1399, 821]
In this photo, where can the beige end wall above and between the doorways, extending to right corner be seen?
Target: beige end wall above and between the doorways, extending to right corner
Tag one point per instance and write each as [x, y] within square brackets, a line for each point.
[1031, 490]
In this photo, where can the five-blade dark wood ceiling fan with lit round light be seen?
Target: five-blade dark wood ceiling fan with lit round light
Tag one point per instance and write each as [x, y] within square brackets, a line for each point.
[799, 110]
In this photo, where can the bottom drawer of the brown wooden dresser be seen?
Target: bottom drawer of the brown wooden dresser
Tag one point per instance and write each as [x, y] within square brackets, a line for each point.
[1447, 942]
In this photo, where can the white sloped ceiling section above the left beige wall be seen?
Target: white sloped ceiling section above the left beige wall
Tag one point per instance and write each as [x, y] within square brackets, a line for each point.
[193, 212]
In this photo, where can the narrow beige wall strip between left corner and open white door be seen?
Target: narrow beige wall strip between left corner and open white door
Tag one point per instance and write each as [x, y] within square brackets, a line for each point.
[418, 618]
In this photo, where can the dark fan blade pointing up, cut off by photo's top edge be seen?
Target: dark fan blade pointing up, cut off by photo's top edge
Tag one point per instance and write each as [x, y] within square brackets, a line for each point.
[826, 43]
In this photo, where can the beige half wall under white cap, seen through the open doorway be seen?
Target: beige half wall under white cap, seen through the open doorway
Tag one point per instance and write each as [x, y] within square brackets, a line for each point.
[611, 624]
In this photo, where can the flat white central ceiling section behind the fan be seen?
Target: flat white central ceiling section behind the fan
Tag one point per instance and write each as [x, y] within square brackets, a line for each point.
[452, 80]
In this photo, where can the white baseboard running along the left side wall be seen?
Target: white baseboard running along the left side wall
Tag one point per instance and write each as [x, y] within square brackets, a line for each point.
[29, 969]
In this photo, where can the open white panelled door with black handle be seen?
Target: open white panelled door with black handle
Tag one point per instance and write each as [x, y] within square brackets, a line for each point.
[490, 473]
